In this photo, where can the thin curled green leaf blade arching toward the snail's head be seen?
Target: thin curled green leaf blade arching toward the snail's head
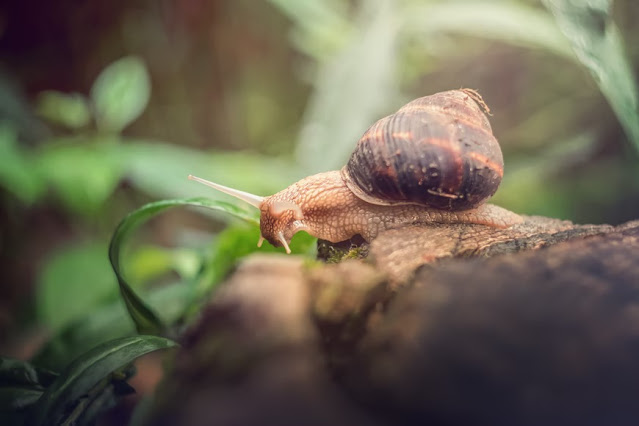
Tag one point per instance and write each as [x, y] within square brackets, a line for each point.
[144, 318]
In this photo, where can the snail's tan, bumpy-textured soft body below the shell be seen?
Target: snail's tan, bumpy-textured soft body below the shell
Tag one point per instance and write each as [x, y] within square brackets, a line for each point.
[332, 212]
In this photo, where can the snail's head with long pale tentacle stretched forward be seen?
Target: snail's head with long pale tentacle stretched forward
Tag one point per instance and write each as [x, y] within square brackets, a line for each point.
[279, 219]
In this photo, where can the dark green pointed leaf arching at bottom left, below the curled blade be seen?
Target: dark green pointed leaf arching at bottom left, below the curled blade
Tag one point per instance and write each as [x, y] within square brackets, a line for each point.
[88, 370]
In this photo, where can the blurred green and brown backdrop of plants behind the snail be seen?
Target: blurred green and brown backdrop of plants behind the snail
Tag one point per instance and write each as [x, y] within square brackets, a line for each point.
[105, 106]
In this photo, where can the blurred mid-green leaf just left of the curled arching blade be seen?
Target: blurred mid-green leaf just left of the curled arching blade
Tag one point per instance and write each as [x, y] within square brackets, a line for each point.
[73, 283]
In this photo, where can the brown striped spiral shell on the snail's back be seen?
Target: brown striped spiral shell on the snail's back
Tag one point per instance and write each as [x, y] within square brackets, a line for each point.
[437, 151]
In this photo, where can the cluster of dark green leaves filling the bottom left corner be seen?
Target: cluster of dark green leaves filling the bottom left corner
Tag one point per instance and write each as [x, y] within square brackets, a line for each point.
[89, 385]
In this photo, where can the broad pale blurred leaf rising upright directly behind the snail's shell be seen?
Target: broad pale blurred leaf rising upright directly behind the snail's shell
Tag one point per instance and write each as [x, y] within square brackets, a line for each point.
[352, 91]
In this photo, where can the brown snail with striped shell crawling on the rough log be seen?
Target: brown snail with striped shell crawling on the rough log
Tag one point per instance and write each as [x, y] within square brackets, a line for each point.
[434, 161]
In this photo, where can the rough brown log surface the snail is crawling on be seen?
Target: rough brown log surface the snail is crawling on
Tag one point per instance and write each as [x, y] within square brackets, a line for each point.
[441, 325]
